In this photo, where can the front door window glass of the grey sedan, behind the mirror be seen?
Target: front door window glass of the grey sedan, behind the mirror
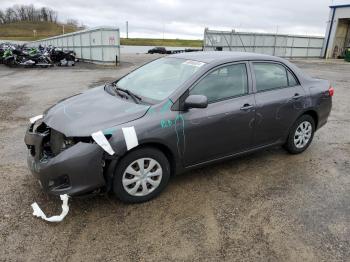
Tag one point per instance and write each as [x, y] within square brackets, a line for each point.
[225, 82]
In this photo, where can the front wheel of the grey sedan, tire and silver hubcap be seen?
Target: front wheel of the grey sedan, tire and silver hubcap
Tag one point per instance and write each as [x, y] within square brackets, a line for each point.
[128, 186]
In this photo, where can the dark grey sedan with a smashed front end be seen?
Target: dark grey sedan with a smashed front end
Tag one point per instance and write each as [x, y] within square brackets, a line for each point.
[170, 115]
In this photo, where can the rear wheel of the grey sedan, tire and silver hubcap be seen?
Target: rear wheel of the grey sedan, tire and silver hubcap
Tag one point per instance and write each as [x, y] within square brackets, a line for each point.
[305, 126]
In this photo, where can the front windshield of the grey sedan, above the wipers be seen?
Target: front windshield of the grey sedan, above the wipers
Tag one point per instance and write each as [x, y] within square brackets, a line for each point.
[158, 79]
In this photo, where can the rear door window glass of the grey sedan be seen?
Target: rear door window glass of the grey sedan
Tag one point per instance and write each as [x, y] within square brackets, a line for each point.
[270, 76]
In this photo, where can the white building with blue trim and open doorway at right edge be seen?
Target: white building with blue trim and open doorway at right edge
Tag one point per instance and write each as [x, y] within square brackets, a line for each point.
[338, 31]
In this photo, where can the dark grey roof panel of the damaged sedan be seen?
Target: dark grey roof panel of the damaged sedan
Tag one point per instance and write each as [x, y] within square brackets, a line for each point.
[223, 56]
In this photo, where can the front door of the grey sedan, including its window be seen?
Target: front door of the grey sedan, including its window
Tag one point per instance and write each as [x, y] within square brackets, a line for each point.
[226, 125]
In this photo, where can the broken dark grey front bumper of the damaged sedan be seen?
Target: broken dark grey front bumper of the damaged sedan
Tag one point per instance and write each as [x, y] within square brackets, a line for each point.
[76, 170]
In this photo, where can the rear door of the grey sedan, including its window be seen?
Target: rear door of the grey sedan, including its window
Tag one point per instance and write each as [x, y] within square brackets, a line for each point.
[279, 101]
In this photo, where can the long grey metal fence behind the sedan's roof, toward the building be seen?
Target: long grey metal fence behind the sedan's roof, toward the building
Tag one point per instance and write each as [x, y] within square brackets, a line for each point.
[271, 44]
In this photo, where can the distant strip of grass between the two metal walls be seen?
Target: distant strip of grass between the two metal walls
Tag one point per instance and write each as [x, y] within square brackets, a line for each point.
[161, 42]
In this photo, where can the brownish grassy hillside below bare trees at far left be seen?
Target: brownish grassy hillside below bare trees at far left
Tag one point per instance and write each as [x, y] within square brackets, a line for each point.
[24, 30]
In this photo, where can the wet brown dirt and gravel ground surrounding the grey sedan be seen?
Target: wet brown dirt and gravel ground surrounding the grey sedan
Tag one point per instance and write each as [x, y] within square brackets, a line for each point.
[268, 206]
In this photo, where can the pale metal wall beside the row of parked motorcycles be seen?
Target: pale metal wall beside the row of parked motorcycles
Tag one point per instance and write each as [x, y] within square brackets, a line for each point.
[98, 45]
